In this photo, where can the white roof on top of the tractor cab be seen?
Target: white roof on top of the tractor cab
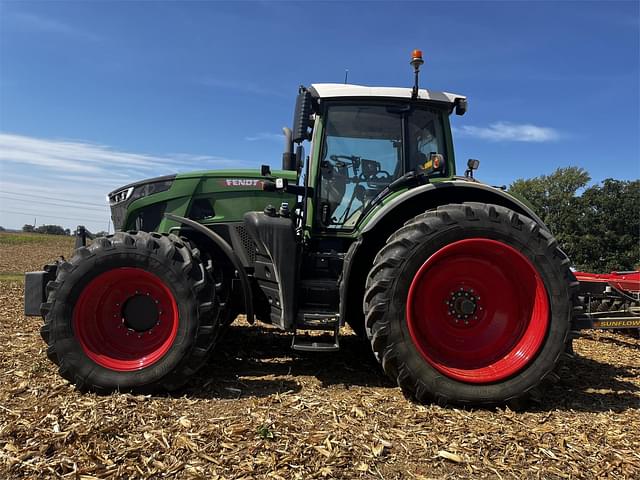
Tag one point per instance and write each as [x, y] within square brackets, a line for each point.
[337, 90]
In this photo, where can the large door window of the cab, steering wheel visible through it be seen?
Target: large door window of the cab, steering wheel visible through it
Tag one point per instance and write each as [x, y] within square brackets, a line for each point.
[362, 154]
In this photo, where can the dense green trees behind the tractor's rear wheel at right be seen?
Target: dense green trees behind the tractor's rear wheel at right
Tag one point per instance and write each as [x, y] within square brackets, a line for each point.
[598, 226]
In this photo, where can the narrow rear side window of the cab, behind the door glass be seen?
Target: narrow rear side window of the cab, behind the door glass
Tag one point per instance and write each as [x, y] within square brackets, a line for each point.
[425, 136]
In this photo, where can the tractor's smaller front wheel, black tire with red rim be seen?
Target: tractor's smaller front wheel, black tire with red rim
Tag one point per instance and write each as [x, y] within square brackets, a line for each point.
[134, 311]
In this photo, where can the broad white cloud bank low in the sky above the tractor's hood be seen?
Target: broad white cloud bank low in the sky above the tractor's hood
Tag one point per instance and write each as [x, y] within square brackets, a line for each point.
[57, 179]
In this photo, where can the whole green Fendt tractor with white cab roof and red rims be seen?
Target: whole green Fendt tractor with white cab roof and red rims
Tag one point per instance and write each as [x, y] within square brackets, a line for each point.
[462, 292]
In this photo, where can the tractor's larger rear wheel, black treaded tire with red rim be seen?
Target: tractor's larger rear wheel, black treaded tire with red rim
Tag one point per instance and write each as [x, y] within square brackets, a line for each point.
[469, 304]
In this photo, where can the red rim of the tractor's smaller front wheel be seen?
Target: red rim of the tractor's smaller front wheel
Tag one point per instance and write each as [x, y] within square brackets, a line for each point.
[114, 334]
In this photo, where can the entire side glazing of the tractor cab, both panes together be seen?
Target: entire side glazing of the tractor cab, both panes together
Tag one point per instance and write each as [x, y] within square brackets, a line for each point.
[363, 152]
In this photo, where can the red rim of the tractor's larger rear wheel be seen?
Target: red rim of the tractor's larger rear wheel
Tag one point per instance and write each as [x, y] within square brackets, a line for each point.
[478, 311]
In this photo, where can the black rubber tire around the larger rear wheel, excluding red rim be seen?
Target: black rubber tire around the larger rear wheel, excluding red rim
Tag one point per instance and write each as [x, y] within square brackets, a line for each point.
[411, 361]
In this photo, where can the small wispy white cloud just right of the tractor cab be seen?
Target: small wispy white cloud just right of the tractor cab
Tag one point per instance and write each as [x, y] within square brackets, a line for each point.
[510, 132]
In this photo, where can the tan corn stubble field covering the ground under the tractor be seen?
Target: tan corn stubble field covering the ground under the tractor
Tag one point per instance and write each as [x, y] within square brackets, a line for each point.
[258, 410]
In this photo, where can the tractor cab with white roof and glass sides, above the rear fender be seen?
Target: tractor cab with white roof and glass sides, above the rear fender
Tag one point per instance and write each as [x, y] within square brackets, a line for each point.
[367, 138]
